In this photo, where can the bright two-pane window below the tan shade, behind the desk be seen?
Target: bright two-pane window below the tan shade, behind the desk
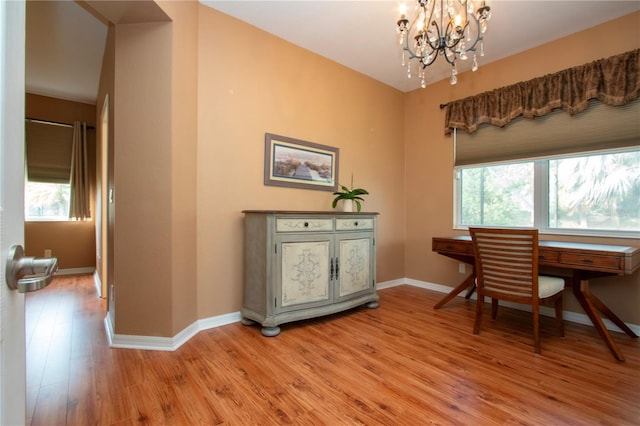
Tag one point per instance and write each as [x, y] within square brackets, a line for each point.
[591, 194]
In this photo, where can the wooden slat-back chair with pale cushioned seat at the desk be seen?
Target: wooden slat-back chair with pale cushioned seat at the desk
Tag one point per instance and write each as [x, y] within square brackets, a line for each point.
[507, 269]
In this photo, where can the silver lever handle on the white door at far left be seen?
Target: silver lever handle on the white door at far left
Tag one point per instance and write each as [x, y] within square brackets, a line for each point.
[28, 273]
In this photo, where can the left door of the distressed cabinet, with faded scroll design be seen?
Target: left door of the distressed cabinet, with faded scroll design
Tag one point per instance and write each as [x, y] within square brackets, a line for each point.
[304, 272]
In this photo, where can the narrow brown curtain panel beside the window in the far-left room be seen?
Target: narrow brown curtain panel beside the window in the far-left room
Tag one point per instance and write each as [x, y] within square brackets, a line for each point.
[79, 206]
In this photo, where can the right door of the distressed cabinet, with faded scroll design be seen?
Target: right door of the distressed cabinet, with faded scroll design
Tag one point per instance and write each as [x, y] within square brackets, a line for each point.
[355, 264]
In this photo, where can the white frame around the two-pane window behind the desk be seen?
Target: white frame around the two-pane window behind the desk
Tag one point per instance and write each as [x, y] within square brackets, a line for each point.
[540, 196]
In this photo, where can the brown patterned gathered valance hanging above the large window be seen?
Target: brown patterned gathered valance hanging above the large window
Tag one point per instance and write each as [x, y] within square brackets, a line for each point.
[613, 81]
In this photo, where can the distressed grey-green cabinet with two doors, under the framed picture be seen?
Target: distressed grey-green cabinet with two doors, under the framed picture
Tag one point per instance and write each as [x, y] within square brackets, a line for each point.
[300, 265]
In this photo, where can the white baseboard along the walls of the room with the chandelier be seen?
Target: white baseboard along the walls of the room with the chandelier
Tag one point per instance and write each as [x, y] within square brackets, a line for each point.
[173, 343]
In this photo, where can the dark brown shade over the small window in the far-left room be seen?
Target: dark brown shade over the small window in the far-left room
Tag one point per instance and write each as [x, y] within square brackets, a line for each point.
[48, 151]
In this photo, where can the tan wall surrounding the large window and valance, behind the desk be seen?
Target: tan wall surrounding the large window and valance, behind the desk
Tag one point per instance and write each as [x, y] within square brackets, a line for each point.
[429, 155]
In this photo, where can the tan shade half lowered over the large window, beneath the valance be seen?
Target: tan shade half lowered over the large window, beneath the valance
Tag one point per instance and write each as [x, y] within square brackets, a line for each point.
[599, 127]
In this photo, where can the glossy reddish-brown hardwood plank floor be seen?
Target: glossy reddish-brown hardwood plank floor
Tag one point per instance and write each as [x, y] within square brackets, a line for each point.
[403, 363]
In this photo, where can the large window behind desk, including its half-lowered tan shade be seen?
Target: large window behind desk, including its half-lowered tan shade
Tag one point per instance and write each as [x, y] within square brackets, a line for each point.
[559, 173]
